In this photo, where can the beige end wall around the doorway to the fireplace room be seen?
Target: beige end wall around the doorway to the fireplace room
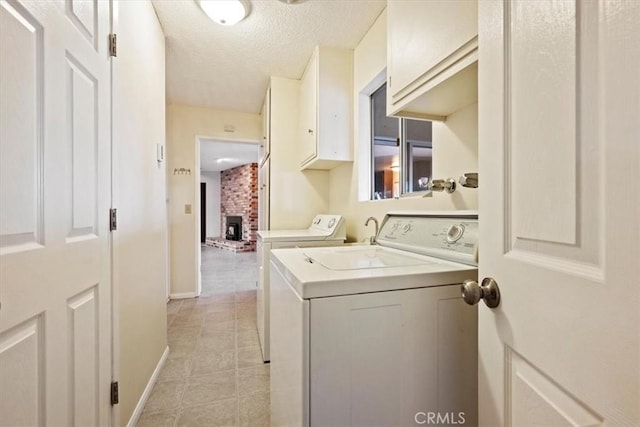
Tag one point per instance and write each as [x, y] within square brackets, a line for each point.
[184, 125]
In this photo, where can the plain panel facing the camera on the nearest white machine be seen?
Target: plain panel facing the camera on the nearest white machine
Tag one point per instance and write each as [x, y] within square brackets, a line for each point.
[386, 358]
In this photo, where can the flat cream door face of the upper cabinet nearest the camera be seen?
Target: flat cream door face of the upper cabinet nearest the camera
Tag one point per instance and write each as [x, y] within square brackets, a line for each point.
[422, 34]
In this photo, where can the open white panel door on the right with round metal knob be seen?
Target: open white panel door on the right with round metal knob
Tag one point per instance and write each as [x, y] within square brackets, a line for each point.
[559, 212]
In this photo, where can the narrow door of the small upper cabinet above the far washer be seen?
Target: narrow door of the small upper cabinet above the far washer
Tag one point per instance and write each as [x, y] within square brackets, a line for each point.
[308, 111]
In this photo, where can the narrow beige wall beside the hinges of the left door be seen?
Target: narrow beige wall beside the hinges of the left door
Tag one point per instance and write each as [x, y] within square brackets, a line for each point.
[140, 243]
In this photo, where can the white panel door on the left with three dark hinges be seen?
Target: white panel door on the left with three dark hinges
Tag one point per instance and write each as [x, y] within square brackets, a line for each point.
[55, 318]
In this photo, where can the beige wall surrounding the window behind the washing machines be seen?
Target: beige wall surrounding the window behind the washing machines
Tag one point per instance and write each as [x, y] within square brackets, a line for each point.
[455, 150]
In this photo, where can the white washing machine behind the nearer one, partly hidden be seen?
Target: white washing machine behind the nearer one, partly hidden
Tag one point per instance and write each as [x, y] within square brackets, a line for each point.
[325, 230]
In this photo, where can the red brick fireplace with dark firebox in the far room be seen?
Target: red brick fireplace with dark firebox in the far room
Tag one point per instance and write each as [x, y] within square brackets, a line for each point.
[238, 200]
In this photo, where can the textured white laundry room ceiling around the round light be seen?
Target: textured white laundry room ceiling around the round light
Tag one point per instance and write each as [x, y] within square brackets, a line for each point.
[228, 67]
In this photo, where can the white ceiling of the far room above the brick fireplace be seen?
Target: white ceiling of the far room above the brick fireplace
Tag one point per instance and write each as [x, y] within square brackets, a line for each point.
[218, 156]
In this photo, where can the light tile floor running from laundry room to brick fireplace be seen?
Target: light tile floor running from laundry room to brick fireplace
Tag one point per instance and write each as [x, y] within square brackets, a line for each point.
[214, 375]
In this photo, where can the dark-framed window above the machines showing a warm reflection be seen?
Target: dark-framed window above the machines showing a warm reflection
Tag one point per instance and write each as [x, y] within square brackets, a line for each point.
[401, 151]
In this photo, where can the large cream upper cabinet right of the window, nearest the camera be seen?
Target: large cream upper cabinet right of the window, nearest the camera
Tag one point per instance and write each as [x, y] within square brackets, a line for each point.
[432, 54]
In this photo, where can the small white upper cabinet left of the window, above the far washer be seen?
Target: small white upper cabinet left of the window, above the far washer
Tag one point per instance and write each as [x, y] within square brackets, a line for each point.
[325, 109]
